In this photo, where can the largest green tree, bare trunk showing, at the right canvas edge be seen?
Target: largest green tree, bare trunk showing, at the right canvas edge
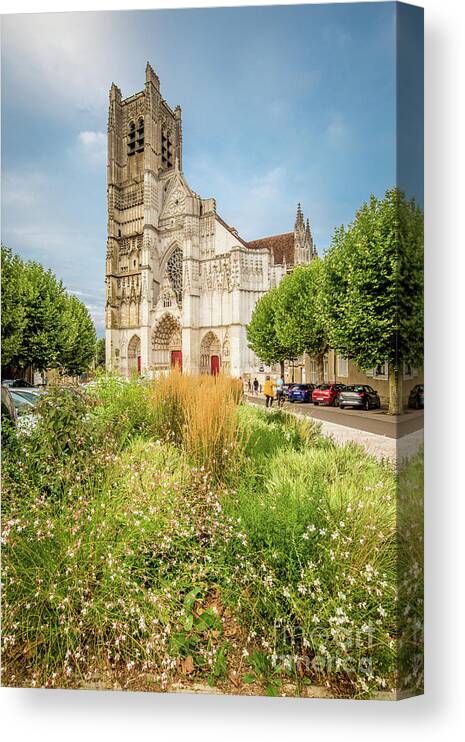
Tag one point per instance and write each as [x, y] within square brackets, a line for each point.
[372, 288]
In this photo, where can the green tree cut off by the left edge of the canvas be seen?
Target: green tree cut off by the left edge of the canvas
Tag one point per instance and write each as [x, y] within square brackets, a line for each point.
[13, 311]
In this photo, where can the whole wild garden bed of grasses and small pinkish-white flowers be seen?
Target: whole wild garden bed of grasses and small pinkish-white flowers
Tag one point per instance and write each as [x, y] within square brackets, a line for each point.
[171, 531]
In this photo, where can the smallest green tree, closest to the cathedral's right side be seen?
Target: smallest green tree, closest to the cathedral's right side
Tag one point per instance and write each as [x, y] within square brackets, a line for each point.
[261, 332]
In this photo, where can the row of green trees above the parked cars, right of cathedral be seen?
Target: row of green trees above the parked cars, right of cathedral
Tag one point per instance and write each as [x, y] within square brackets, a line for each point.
[364, 299]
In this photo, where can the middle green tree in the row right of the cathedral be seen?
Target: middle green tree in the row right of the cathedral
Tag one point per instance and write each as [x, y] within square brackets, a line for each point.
[298, 316]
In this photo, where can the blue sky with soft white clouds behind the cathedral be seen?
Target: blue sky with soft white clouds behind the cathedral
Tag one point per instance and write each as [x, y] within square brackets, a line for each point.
[280, 105]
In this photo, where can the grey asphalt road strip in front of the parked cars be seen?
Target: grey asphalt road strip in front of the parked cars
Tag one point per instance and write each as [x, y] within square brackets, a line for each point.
[377, 422]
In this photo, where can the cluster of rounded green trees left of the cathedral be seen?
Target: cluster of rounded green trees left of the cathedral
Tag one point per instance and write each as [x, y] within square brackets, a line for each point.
[42, 326]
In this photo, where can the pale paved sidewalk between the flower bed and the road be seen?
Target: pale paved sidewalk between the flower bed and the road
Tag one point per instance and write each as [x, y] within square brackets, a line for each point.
[381, 446]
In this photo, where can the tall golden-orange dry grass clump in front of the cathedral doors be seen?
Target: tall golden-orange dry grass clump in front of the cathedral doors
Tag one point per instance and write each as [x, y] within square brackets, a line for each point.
[199, 412]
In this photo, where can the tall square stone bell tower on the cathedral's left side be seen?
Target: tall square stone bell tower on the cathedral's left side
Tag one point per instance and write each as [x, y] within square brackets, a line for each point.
[144, 148]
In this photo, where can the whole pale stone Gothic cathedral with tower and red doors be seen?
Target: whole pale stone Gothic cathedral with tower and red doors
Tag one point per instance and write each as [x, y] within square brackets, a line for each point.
[181, 284]
